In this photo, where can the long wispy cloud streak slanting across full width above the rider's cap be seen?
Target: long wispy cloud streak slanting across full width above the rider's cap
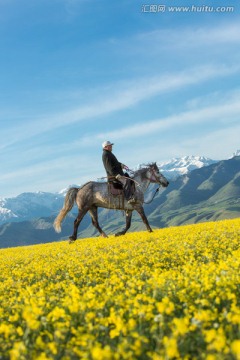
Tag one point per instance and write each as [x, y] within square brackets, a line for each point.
[117, 98]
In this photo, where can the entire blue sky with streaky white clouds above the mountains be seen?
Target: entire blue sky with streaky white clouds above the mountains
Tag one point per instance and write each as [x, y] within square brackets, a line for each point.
[74, 73]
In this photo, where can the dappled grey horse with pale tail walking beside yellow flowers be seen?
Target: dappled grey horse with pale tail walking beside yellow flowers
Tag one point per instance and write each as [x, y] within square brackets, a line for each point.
[92, 195]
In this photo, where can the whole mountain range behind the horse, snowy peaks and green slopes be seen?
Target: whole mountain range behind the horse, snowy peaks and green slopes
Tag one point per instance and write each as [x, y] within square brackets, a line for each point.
[200, 189]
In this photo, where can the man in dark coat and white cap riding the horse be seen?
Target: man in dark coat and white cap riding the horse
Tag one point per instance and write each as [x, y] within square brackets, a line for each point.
[114, 170]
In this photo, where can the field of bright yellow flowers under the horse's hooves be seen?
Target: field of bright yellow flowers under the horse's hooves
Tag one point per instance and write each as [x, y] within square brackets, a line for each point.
[171, 294]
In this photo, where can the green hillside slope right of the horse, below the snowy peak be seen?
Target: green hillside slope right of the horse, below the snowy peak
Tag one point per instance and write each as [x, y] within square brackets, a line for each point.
[209, 193]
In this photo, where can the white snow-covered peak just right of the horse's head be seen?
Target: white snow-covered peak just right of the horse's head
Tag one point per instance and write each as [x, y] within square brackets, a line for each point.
[182, 166]
